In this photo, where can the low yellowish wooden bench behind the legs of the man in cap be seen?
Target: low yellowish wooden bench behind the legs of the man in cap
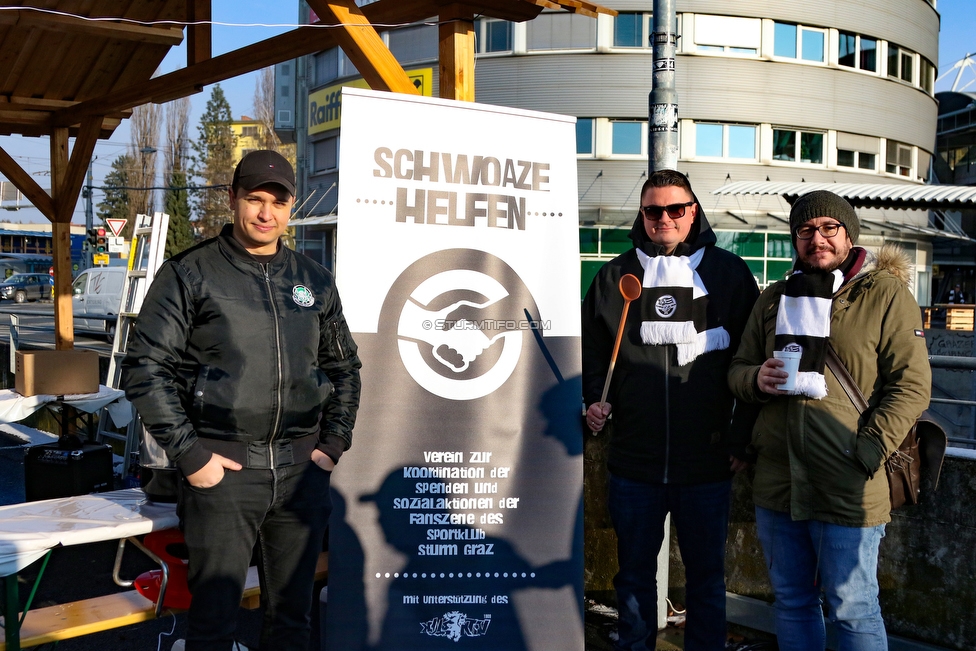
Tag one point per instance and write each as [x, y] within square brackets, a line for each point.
[85, 616]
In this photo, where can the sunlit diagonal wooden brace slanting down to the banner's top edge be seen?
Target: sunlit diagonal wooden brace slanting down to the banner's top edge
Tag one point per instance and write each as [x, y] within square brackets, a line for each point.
[364, 46]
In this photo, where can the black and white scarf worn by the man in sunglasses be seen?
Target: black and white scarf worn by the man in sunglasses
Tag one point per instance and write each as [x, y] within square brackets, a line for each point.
[673, 306]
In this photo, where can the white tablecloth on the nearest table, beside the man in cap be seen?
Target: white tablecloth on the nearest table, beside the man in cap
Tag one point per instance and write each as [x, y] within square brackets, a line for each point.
[28, 530]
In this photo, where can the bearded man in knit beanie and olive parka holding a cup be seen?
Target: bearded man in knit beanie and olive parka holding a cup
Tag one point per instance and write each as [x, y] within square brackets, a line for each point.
[820, 493]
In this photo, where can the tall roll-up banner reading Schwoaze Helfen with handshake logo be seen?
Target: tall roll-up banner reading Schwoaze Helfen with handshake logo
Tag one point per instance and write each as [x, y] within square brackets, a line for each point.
[457, 516]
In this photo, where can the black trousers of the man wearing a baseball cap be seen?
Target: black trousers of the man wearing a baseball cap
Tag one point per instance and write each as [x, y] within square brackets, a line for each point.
[285, 511]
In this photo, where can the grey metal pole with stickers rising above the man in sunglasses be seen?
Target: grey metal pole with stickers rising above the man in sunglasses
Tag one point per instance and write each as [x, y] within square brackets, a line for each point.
[663, 115]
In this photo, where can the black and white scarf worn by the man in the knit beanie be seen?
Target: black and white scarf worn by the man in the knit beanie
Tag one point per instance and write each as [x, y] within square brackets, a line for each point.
[803, 324]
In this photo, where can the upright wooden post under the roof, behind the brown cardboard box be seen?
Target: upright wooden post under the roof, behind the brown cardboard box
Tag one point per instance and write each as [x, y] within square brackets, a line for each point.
[64, 337]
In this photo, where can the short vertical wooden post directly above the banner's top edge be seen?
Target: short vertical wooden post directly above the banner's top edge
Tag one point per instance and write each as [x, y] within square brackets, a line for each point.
[456, 53]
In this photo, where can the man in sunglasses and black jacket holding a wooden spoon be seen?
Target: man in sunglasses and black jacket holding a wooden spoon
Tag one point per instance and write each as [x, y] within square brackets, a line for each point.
[675, 438]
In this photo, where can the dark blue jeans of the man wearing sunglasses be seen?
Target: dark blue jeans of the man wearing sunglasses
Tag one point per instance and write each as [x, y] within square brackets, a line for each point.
[700, 513]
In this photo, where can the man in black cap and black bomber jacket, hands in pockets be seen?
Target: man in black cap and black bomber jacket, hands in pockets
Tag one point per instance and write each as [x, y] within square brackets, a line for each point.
[244, 371]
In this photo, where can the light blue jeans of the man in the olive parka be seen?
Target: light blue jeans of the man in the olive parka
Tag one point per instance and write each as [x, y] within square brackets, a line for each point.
[846, 561]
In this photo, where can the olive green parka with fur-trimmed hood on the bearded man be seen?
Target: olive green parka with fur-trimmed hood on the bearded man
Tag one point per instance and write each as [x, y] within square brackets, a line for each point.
[820, 459]
